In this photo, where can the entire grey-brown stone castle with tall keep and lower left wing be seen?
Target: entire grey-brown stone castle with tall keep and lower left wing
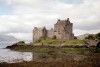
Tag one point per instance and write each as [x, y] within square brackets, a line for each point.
[63, 30]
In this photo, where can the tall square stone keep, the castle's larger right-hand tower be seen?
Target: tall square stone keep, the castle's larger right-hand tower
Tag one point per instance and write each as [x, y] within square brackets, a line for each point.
[63, 29]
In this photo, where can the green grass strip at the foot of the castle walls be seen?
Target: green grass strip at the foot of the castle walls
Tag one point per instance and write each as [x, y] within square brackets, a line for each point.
[54, 42]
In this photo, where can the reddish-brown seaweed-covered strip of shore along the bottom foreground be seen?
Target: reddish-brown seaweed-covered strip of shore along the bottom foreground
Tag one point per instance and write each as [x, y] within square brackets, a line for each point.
[93, 61]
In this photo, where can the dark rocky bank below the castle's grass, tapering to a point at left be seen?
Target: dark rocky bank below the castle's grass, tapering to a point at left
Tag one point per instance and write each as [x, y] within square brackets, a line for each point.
[30, 48]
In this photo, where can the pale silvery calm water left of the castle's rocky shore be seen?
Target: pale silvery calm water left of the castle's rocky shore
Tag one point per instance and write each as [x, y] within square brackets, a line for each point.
[6, 55]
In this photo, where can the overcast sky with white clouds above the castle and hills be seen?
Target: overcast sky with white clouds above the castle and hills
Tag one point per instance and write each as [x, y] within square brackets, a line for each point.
[19, 17]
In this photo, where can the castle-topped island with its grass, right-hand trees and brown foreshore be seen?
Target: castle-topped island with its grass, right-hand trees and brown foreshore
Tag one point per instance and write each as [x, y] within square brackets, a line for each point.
[59, 47]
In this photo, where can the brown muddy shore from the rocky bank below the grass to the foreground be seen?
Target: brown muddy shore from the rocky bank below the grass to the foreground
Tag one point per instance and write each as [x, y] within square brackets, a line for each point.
[55, 56]
